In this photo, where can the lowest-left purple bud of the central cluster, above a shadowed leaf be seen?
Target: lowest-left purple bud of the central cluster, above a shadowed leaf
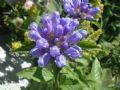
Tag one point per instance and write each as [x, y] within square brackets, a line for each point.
[44, 60]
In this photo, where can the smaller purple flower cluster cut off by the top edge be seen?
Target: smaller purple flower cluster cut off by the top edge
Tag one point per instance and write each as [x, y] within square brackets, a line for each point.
[80, 8]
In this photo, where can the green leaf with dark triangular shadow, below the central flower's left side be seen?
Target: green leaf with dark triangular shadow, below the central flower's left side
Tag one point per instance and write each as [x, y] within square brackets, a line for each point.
[37, 74]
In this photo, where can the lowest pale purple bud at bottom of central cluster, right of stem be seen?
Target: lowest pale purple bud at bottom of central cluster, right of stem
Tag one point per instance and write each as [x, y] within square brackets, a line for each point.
[60, 61]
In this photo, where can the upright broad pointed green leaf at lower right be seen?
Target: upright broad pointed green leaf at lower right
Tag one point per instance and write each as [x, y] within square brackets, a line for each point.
[101, 78]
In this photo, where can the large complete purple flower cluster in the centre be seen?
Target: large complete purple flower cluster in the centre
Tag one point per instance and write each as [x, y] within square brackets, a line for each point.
[56, 39]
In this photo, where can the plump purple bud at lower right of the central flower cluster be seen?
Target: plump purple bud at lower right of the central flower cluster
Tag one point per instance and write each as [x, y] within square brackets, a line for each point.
[72, 53]
